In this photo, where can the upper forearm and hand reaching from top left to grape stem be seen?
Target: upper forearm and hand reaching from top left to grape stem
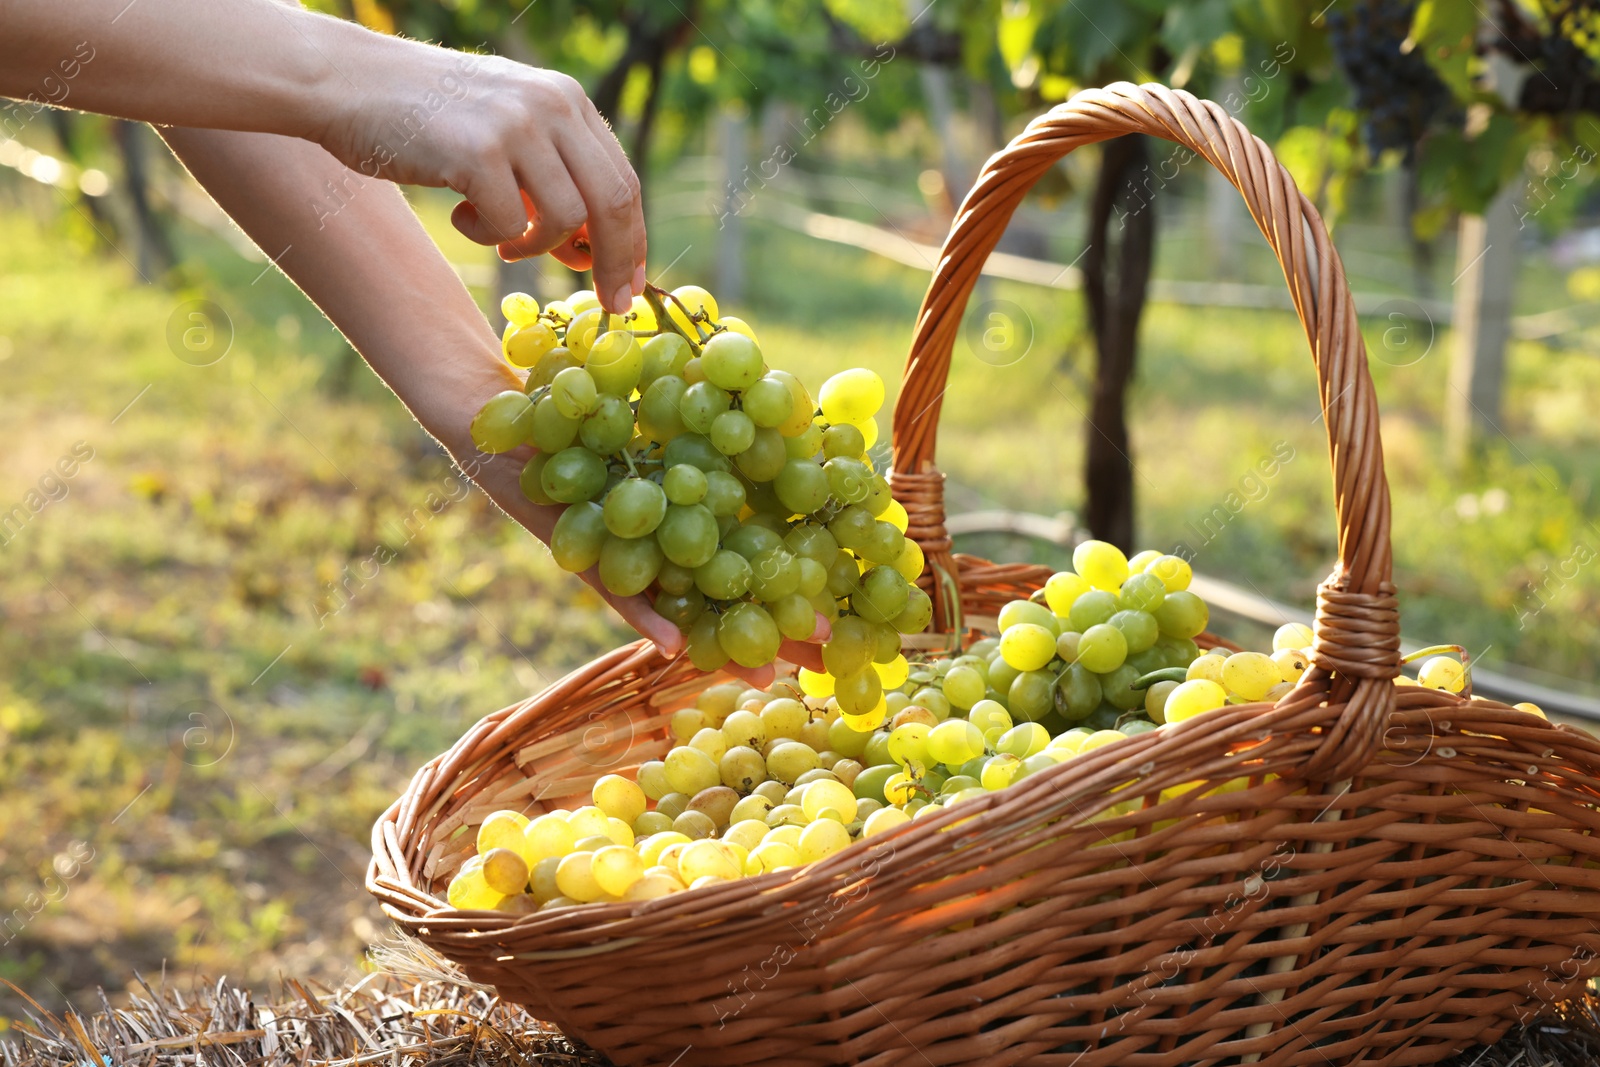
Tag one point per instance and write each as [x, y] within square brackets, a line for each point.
[490, 129]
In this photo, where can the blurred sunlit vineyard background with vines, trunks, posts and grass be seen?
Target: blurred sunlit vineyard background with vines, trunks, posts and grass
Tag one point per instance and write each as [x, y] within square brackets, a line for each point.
[210, 689]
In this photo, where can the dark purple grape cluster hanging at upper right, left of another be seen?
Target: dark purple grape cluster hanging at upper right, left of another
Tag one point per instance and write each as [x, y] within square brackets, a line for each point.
[1398, 94]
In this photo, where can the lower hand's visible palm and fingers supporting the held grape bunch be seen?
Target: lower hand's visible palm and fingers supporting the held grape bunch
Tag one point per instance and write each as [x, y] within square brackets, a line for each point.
[500, 478]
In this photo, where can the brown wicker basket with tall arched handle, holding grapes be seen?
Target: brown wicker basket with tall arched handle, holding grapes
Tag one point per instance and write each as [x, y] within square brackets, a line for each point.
[1362, 874]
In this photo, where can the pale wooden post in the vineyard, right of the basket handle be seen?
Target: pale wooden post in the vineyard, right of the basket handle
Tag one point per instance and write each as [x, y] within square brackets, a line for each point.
[1484, 289]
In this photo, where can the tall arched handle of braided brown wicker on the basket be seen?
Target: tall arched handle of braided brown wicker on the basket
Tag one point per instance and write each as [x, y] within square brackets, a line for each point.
[1358, 629]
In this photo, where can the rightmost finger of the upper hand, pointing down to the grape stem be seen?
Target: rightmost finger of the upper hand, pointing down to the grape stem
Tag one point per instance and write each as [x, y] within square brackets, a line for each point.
[617, 220]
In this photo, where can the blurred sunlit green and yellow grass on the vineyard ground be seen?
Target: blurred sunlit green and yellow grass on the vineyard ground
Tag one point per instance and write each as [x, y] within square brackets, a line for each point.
[198, 729]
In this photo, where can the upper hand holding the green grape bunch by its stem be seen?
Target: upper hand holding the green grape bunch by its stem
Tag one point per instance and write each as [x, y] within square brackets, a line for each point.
[538, 166]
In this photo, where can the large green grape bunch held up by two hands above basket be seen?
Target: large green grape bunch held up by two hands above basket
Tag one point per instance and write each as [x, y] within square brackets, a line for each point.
[692, 471]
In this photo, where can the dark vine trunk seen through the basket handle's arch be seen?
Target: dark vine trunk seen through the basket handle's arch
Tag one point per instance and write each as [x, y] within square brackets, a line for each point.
[1116, 281]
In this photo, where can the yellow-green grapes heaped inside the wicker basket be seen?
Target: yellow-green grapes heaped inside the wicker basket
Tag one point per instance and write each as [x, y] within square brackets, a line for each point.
[762, 781]
